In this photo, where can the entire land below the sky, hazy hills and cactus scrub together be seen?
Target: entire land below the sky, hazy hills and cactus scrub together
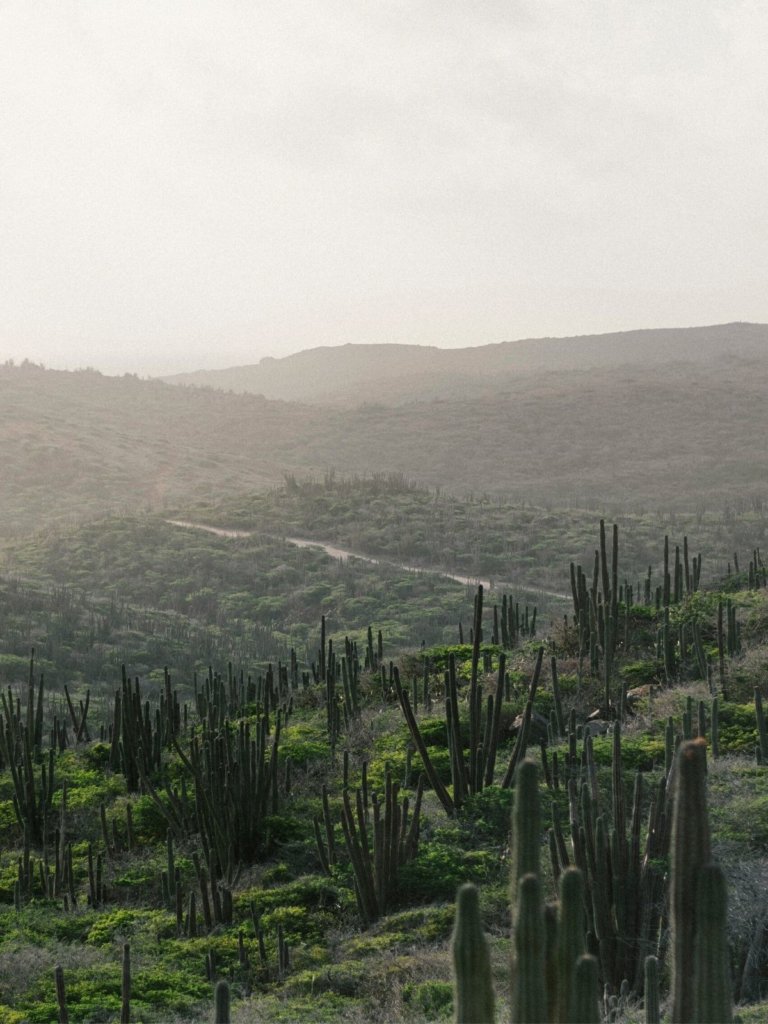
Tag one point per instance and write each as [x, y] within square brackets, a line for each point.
[242, 769]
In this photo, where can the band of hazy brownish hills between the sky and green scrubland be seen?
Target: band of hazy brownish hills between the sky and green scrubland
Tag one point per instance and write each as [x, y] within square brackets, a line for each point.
[673, 421]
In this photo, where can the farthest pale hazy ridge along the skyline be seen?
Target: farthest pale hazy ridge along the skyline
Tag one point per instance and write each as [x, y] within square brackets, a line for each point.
[398, 374]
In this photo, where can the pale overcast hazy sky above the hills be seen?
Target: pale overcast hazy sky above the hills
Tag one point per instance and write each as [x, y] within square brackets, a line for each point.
[203, 183]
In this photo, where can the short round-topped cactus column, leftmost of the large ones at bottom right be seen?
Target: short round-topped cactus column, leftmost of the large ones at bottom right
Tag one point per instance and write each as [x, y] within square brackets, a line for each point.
[474, 990]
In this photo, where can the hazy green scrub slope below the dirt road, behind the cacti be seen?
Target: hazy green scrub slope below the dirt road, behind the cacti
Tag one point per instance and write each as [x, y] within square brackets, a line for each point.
[139, 591]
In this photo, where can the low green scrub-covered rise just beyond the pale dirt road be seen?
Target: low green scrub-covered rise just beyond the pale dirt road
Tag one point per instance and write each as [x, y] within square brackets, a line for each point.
[515, 544]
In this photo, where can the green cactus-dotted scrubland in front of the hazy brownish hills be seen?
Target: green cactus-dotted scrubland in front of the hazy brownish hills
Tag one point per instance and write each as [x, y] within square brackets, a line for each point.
[218, 831]
